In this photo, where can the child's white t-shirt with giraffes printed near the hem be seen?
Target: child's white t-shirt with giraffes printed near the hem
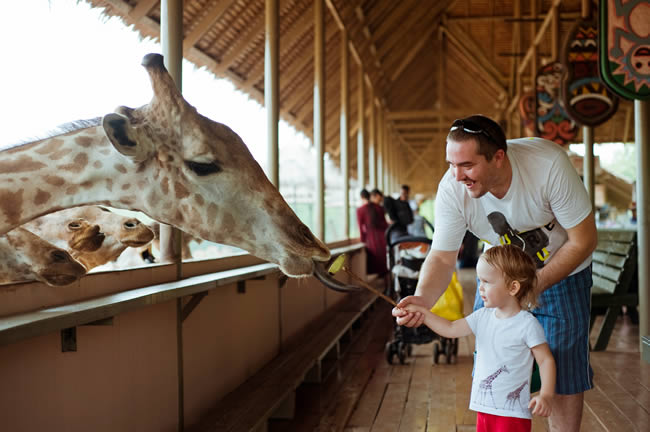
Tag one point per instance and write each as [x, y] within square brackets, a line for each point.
[504, 362]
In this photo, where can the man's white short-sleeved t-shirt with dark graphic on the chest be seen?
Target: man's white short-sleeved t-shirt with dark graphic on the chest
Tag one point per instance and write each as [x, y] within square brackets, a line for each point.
[546, 196]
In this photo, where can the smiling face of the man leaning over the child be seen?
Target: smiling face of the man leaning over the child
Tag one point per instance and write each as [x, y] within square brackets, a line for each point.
[473, 170]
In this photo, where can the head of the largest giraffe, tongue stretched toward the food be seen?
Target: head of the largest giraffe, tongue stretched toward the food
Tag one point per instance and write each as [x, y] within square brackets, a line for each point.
[199, 176]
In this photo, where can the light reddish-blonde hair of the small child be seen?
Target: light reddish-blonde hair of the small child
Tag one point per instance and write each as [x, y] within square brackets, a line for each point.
[516, 265]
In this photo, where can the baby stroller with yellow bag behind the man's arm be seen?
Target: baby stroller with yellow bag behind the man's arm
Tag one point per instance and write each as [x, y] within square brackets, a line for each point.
[405, 257]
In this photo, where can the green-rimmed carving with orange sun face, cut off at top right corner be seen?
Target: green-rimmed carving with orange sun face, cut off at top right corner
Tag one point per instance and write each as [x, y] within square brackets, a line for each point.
[625, 47]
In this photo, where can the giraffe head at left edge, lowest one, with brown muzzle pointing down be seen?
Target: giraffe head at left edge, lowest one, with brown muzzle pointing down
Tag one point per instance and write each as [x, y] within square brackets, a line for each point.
[25, 256]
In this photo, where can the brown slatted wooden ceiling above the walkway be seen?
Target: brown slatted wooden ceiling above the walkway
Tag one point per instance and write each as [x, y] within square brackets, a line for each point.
[426, 62]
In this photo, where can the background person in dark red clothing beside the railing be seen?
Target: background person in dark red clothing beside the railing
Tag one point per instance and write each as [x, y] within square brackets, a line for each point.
[372, 228]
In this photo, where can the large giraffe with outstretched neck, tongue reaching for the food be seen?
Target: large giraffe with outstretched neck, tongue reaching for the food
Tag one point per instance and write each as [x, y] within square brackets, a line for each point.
[173, 164]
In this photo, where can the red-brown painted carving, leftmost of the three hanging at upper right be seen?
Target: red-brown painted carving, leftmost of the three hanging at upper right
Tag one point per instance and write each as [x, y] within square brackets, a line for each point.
[553, 122]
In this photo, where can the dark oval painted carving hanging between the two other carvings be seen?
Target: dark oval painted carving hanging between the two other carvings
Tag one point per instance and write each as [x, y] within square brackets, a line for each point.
[587, 99]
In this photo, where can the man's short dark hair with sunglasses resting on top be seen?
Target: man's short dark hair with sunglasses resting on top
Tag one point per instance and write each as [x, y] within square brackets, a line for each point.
[487, 133]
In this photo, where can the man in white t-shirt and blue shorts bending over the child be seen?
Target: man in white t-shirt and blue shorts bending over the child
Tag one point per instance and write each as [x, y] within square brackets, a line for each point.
[524, 192]
